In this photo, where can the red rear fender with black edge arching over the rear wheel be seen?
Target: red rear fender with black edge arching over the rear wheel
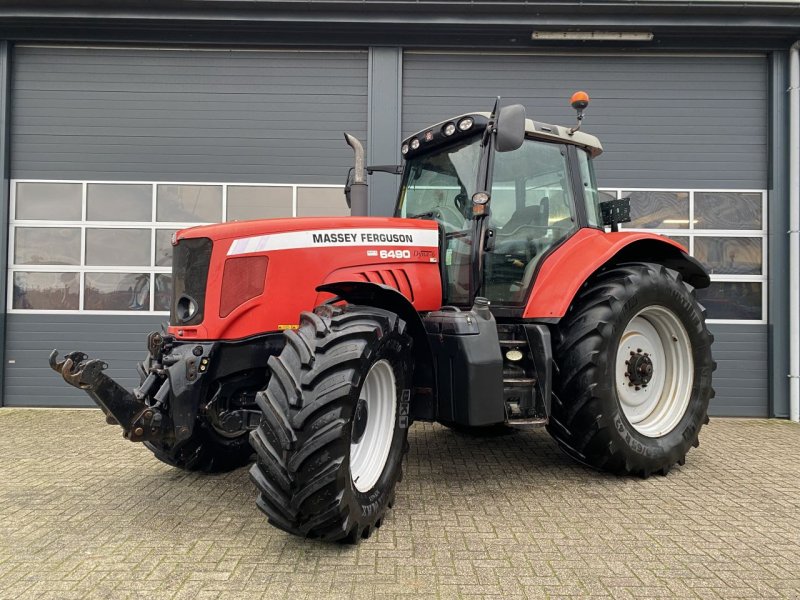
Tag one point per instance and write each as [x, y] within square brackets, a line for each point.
[588, 251]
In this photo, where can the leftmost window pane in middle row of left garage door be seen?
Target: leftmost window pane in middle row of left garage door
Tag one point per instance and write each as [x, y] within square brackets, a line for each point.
[47, 246]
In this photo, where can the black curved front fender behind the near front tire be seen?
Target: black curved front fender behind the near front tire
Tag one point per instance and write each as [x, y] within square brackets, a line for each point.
[423, 399]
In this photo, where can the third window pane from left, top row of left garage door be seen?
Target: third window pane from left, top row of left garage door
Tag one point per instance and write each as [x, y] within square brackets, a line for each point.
[189, 203]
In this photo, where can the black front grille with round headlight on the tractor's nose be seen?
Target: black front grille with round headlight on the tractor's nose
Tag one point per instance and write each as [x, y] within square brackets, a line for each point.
[190, 261]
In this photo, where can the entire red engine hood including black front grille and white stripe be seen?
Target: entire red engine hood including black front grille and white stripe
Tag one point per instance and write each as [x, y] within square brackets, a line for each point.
[235, 280]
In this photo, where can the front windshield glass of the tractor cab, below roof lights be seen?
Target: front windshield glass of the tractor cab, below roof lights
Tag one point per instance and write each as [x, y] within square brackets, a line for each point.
[440, 185]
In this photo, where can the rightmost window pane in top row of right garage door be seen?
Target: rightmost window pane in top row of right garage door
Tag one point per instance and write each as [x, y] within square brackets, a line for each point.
[727, 210]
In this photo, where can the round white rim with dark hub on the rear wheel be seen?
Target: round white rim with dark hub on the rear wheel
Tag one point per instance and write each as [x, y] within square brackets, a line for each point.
[654, 336]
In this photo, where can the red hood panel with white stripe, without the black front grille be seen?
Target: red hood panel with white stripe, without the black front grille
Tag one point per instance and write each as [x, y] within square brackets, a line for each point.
[306, 253]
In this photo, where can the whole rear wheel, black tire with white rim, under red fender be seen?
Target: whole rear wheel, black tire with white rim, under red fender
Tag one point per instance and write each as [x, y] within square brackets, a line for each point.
[633, 371]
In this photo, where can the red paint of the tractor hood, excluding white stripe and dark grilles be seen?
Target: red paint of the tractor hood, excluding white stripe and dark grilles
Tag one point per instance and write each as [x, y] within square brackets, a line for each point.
[293, 275]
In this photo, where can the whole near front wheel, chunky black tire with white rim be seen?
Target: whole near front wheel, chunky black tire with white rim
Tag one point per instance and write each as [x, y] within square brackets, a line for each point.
[331, 442]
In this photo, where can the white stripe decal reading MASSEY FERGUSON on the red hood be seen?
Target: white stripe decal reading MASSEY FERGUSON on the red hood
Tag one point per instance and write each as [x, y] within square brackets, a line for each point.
[327, 238]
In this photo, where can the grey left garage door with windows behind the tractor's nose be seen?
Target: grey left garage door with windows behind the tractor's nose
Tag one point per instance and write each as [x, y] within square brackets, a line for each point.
[186, 118]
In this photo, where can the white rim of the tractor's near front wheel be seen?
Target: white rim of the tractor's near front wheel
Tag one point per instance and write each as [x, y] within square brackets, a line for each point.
[369, 454]
